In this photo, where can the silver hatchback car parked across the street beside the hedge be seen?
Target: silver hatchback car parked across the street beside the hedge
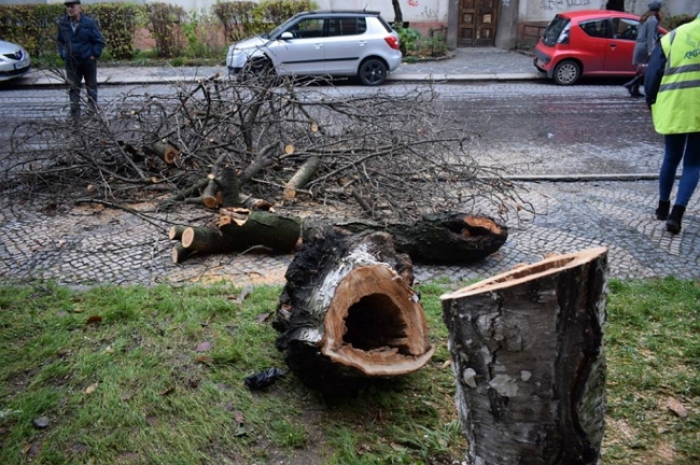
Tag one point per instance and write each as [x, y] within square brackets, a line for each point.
[318, 43]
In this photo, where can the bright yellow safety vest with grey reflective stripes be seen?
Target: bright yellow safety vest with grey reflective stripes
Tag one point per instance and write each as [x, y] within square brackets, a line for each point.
[677, 107]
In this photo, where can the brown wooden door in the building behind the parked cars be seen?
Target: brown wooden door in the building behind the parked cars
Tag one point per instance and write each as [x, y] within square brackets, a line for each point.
[478, 20]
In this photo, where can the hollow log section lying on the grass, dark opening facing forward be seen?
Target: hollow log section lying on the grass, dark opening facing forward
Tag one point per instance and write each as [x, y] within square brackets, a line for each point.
[348, 311]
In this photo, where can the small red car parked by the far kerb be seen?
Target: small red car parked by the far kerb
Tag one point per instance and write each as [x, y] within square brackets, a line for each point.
[587, 43]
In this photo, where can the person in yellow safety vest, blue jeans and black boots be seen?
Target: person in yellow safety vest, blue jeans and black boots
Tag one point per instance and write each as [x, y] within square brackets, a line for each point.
[672, 87]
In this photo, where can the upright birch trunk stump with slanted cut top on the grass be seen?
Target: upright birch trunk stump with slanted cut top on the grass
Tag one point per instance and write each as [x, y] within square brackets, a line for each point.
[527, 353]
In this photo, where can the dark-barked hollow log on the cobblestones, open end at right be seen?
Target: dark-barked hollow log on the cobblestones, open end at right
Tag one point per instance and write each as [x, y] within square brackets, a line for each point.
[441, 238]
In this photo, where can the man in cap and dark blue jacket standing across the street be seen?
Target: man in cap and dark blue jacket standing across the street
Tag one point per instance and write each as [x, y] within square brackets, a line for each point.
[80, 44]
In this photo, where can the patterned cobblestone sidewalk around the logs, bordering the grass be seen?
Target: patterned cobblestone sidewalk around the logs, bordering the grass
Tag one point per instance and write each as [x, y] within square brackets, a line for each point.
[89, 246]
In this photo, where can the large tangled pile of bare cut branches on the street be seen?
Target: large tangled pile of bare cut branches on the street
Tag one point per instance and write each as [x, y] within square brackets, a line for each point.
[394, 153]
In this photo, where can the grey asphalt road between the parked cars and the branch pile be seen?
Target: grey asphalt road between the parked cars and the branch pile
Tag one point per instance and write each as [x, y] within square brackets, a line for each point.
[534, 128]
